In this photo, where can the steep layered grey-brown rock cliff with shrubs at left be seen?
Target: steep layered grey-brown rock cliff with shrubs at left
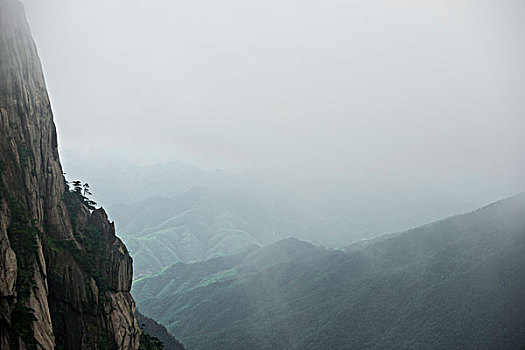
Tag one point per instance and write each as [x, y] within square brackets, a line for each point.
[64, 275]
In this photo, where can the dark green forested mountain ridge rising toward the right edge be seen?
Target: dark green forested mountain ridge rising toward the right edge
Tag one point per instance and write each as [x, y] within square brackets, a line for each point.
[455, 284]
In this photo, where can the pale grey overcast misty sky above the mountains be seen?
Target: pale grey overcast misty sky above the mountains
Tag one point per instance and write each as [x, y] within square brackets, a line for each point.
[427, 90]
